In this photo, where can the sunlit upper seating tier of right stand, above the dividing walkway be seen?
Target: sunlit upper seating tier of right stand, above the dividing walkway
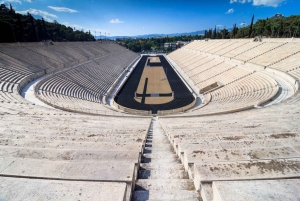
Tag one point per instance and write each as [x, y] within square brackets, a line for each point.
[265, 53]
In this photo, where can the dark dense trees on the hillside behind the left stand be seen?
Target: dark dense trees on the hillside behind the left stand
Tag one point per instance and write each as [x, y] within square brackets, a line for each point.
[24, 28]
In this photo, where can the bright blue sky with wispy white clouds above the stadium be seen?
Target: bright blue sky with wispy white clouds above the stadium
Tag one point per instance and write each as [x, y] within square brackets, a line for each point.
[137, 17]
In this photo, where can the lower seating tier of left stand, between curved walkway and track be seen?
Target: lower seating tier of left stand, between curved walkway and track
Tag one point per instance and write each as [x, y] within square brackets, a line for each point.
[88, 82]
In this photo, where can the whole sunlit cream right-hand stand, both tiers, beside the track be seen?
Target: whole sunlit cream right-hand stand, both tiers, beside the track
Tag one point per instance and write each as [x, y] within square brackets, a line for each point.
[236, 65]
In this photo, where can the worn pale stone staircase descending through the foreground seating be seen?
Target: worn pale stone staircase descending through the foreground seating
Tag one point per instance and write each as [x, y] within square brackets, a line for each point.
[161, 175]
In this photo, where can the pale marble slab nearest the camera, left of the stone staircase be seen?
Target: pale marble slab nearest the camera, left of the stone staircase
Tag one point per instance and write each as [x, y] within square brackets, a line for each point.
[33, 189]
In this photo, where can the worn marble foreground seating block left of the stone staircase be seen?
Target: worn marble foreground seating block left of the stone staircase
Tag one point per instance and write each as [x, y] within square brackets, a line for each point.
[37, 143]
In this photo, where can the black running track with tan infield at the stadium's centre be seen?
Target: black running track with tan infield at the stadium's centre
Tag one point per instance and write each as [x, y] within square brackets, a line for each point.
[154, 86]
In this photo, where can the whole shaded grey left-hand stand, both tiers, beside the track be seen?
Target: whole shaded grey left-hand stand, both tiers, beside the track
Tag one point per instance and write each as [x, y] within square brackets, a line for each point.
[89, 69]
